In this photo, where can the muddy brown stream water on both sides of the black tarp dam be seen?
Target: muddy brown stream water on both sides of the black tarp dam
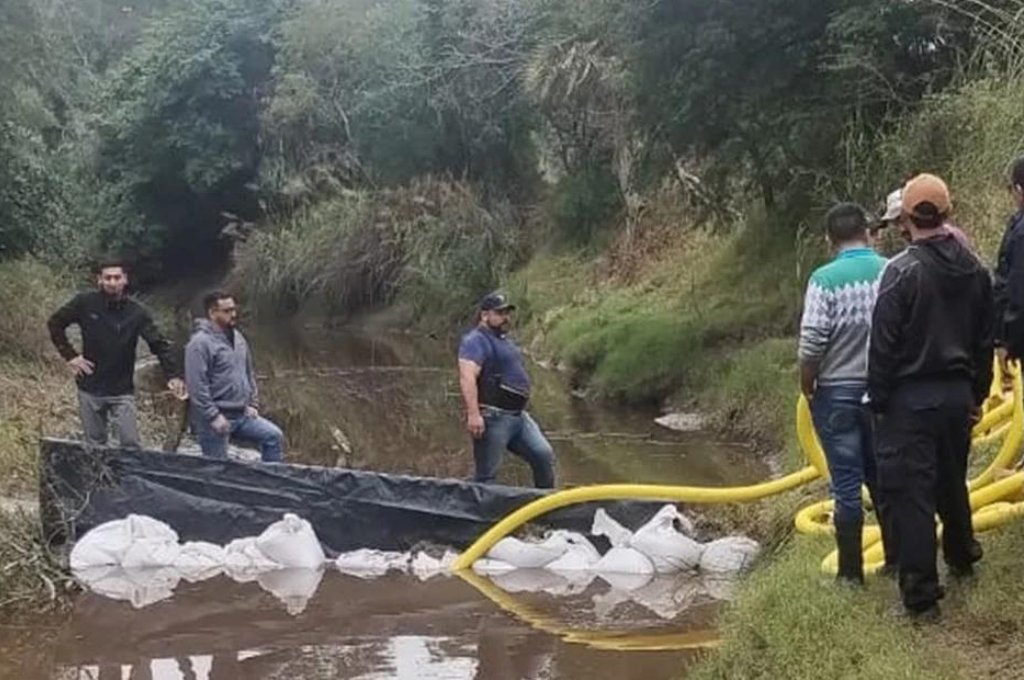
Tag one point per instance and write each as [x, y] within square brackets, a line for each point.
[391, 403]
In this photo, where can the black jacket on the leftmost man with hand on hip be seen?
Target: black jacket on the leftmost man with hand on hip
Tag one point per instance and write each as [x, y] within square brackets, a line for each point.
[111, 329]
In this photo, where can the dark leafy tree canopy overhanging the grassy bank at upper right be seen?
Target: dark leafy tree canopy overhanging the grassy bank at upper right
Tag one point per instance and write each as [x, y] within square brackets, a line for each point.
[766, 88]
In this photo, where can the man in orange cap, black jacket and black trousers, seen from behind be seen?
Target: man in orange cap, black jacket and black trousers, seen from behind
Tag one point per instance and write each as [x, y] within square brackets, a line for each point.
[929, 372]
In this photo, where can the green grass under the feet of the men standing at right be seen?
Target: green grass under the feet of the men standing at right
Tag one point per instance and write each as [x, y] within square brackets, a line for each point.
[790, 621]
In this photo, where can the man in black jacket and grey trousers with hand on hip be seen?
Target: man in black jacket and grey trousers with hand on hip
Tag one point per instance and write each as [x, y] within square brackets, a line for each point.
[111, 323]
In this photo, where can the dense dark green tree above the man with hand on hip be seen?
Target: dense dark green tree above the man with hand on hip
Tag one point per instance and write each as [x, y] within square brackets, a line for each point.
[179, 131]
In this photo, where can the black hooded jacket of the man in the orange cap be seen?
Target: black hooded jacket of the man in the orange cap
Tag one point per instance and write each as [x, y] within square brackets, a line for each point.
[934, 320]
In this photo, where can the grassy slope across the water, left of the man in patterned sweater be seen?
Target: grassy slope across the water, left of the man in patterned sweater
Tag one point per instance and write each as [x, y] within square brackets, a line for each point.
[711, 317]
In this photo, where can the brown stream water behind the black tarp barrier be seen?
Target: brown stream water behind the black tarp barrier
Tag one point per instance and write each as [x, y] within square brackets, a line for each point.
[392, 403]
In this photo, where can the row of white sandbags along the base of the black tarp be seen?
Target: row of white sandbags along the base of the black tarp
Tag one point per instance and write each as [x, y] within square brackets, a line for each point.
[142, 560]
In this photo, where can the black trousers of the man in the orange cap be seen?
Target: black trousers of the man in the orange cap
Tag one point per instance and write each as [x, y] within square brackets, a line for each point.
[924, 440]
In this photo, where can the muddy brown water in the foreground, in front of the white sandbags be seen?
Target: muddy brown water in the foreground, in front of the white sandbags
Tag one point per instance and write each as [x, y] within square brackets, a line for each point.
[397, 627]
